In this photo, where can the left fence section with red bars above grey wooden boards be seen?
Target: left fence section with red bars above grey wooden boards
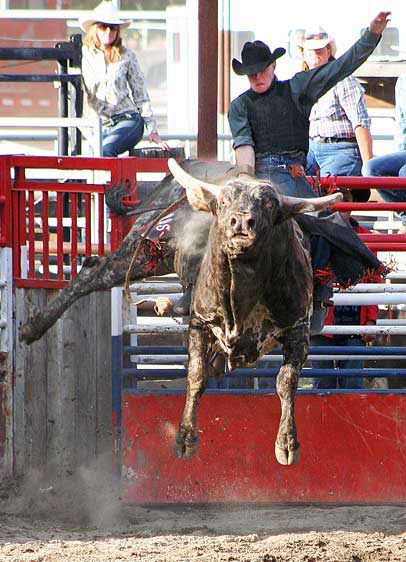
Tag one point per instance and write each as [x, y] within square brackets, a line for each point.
[55, 395]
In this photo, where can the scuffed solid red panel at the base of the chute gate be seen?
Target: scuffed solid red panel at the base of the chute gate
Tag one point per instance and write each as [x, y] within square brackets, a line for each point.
[353, 450]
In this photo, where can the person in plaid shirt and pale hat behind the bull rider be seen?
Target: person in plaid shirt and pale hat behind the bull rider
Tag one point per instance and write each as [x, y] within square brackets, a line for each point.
[340, 136]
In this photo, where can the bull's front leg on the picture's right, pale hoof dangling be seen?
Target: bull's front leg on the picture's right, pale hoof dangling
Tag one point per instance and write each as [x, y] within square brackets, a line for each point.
[296, 349]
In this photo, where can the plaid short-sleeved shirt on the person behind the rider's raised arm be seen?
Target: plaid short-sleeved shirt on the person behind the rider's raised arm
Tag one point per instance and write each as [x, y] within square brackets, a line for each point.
[340, 111]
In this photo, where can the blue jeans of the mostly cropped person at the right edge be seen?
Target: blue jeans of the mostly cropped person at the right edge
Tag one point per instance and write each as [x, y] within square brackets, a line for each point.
[389, 165]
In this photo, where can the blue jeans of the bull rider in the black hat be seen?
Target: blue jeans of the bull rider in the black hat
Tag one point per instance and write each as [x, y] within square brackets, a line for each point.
[275, 169]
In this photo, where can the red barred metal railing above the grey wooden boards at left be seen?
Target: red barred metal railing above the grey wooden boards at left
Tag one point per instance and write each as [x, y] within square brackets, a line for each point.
[29, 233]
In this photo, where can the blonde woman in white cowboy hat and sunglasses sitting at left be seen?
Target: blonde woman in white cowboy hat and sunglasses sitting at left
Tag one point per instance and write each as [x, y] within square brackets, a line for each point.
[114, 83]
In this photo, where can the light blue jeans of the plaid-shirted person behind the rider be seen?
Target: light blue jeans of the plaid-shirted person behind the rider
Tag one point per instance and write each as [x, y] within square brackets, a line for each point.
[335, 158]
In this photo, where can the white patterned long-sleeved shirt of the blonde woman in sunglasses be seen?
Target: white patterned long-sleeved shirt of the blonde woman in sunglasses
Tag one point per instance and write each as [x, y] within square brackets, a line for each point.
[116, 88]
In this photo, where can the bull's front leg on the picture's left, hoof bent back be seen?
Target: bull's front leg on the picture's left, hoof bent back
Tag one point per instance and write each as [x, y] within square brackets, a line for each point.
[186, 440]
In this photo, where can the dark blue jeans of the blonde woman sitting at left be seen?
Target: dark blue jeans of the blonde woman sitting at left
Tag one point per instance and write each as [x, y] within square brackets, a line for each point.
[123, 135]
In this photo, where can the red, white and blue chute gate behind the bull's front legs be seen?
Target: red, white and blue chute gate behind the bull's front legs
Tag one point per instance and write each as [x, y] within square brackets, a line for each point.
[349, 438]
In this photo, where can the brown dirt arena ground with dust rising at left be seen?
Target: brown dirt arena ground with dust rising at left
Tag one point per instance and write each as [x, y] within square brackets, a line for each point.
[82, 518]
